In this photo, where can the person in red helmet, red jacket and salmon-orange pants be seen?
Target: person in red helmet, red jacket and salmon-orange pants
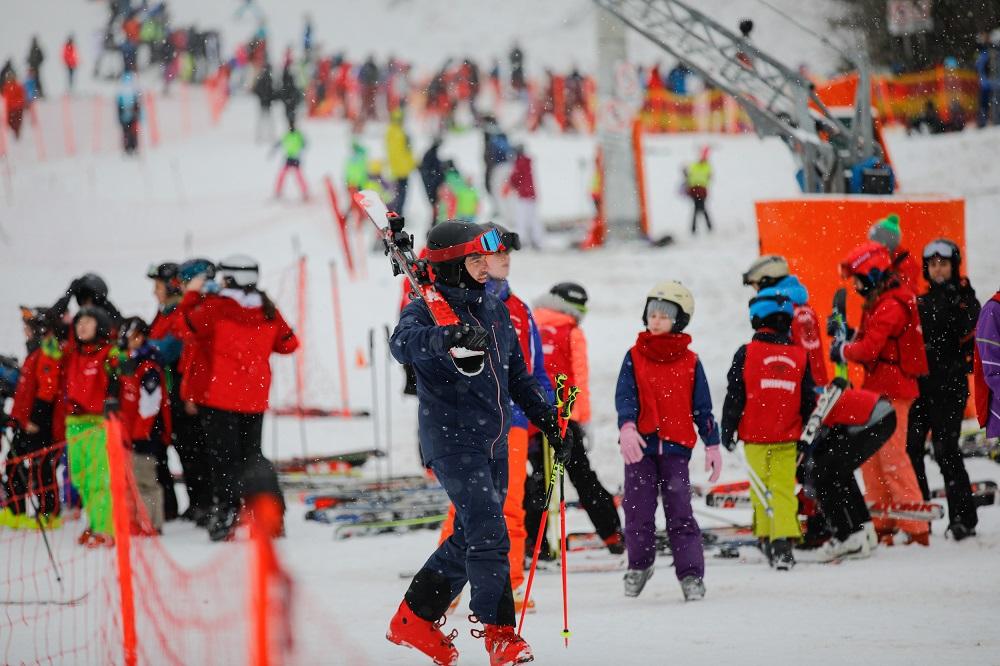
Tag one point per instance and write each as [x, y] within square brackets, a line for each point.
[889, 345]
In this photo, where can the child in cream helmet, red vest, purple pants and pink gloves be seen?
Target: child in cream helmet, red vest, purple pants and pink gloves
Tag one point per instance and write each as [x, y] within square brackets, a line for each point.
[661, 395]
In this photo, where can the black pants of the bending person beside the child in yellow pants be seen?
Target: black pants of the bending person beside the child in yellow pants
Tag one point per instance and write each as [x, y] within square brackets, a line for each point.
[835, 457]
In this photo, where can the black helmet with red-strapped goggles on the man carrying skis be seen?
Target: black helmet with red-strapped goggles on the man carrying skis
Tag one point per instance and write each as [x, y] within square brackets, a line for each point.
[450, 242]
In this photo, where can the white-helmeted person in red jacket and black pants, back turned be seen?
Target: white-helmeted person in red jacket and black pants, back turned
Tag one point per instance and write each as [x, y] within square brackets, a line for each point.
[236, 331]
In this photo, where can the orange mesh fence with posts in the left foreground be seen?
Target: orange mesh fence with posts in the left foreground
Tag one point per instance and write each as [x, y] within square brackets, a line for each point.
[141, 598]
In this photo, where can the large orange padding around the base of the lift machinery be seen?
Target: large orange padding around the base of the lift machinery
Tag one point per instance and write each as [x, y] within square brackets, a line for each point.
[815, 233]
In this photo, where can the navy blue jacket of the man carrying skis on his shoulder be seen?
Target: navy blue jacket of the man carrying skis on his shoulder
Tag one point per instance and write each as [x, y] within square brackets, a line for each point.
[459, 413]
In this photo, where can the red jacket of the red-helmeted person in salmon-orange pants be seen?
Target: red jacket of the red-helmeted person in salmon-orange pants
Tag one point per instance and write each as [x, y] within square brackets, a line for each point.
[890, 345]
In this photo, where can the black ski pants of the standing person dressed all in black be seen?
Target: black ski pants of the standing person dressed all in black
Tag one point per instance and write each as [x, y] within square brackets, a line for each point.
[939, 411]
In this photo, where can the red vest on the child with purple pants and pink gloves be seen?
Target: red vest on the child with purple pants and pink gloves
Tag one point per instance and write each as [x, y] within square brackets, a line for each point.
[664, 375]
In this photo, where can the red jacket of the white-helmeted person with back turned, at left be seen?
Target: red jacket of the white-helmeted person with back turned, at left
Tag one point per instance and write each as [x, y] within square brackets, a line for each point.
[232, 369]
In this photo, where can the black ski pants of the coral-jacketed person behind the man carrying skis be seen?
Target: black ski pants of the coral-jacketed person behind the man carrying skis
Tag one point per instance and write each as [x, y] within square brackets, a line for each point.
[594, 498]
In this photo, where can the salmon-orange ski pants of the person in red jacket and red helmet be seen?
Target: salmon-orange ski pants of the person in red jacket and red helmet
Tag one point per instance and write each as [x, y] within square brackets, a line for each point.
[889, 475]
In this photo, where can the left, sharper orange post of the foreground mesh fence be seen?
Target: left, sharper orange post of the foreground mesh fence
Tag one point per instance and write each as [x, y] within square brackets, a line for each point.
[121, 521]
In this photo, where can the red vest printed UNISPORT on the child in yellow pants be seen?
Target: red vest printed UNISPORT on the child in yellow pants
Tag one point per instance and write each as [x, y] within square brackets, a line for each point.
[772, 375]
